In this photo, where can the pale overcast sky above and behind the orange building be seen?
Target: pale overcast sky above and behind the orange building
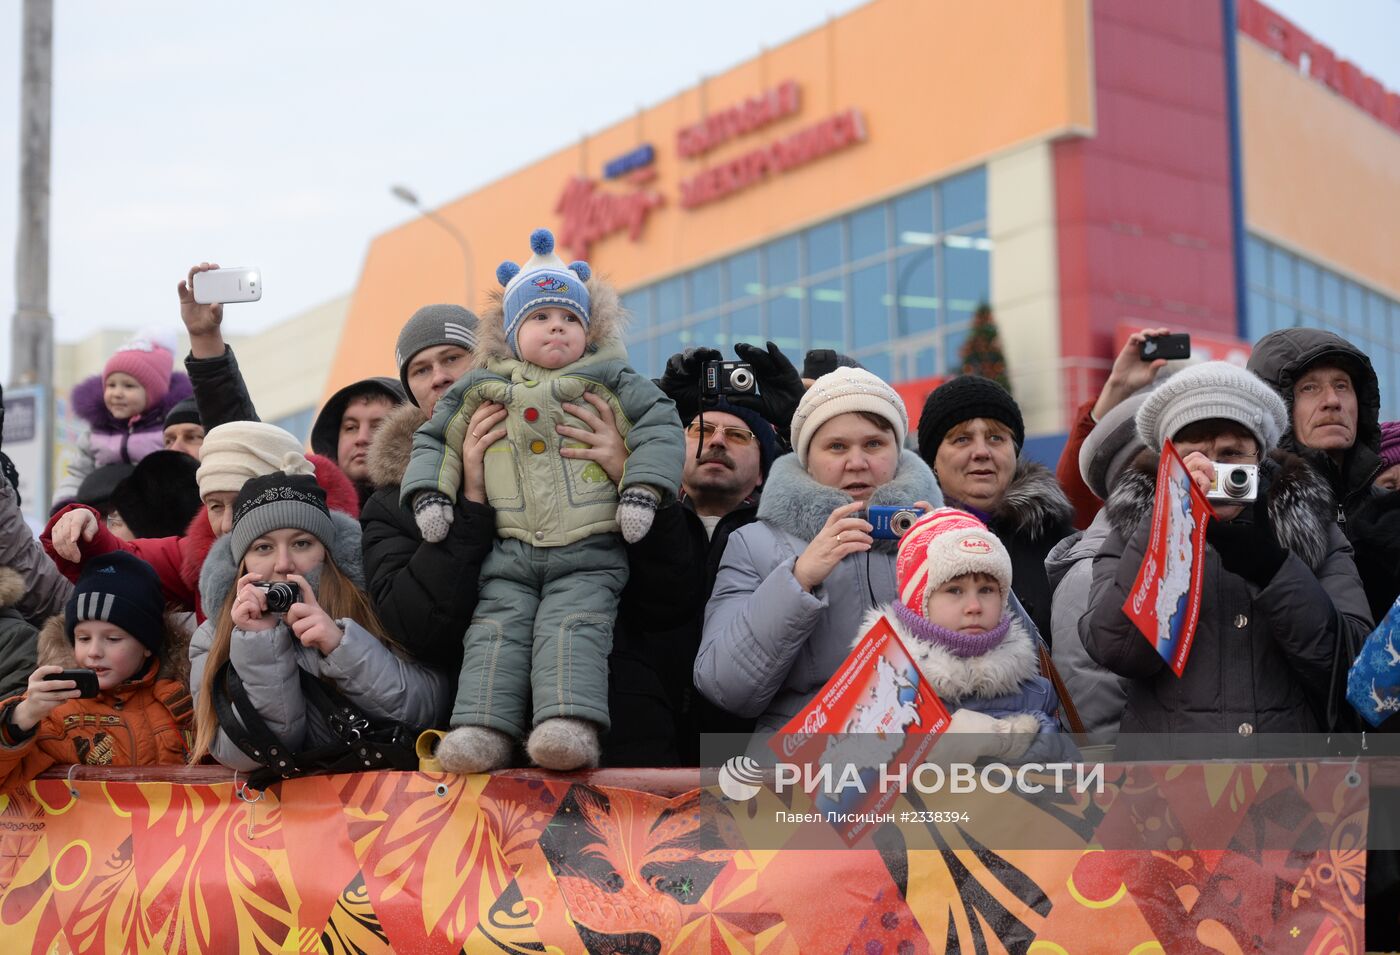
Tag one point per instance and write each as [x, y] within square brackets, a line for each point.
[269, 134]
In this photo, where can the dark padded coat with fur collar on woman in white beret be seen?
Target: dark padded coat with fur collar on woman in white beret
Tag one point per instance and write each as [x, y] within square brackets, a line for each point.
[1265, 660]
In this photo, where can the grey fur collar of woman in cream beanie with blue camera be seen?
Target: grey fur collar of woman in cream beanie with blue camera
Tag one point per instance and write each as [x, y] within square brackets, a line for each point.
[794, 502]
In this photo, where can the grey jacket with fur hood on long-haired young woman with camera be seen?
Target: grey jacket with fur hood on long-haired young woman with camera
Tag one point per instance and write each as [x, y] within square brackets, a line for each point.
[366, 671]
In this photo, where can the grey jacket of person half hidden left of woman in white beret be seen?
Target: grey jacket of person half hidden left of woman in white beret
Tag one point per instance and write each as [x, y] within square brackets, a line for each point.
[1097, 694]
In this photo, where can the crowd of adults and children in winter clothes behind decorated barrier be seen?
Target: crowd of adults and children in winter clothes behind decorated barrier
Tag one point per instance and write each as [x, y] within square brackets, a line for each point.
[524, 544]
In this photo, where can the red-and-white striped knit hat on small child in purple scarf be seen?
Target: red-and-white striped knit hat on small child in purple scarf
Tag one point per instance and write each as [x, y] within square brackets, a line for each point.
[947, 544]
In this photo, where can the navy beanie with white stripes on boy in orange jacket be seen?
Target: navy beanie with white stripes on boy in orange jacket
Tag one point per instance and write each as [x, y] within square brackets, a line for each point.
[122, 590]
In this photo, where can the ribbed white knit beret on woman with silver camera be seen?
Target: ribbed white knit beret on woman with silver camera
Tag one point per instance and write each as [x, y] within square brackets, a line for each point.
[1213, 390]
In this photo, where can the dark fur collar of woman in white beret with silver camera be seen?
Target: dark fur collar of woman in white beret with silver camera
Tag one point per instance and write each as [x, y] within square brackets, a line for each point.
[1300, 503]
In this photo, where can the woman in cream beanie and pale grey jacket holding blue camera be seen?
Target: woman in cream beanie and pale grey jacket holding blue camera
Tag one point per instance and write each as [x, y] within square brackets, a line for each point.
[794, 586]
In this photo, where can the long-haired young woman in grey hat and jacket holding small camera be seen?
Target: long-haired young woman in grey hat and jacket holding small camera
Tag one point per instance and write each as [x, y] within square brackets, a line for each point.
[285, 593]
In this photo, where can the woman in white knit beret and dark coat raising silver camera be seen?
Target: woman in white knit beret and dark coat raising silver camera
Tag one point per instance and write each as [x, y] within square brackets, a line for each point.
[1280, 594]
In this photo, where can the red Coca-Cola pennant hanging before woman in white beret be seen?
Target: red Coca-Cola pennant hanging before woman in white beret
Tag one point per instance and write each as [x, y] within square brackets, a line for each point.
[1165, 601]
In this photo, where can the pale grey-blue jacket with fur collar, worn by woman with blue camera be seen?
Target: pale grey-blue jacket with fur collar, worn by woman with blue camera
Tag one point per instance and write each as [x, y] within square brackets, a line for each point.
[768, 645]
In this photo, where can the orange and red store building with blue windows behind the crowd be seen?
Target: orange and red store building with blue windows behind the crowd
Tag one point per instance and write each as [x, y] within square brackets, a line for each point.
[1080, 166]
